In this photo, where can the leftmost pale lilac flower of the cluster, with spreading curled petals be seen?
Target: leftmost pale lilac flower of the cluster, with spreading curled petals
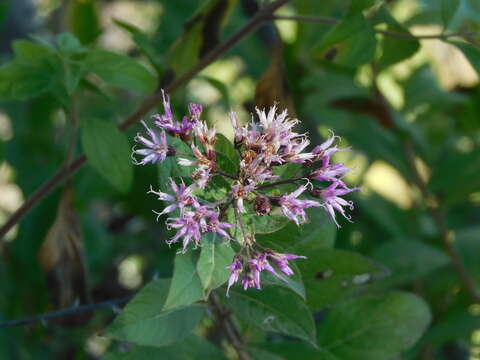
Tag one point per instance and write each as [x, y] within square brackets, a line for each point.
[156, 147]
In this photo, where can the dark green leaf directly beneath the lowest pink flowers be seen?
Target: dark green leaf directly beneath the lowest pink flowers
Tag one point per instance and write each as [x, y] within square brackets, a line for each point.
[274, 309]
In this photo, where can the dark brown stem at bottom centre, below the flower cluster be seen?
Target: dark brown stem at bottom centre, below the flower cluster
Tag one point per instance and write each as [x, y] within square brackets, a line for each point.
[229, 329]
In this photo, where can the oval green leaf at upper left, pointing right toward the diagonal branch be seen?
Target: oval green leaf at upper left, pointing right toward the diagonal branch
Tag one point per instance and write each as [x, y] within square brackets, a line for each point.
[120, 70]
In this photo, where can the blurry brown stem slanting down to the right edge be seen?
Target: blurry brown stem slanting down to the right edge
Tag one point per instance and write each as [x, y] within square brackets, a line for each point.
[433, 207]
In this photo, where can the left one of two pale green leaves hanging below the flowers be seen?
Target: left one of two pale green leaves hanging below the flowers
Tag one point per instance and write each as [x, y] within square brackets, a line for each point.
[186, 287]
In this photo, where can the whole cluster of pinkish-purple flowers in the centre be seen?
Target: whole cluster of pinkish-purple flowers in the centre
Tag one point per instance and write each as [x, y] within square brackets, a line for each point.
[268, 141]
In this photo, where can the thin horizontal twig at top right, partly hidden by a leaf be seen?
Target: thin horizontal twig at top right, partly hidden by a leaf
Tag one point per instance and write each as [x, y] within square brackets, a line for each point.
[332, 21]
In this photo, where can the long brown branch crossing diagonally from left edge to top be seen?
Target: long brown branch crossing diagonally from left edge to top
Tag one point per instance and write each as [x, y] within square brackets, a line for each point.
[145, 107]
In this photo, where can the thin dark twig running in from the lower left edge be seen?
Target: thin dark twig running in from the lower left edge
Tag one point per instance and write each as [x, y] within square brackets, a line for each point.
[64, 313]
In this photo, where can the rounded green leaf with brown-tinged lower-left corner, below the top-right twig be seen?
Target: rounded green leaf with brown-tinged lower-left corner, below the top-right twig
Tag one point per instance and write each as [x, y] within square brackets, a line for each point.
[350, 43]
